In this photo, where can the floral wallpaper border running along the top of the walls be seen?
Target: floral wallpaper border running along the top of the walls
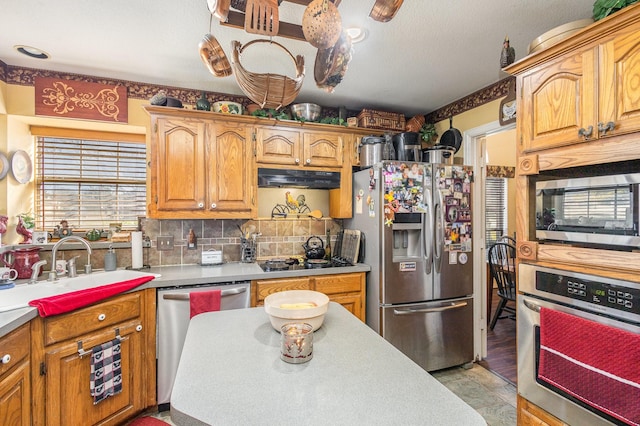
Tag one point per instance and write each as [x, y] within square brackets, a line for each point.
[26, 77]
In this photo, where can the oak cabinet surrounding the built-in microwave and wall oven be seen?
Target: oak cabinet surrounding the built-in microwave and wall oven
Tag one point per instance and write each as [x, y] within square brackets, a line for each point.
[589, 78]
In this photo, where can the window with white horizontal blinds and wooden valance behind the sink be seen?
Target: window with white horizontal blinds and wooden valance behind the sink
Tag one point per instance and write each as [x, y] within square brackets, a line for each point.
[88, 181]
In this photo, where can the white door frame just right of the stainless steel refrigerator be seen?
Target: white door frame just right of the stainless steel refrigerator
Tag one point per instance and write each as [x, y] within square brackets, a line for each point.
[474, 154]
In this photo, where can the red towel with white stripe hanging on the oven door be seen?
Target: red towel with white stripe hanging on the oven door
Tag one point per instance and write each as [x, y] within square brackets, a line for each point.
[593, 362]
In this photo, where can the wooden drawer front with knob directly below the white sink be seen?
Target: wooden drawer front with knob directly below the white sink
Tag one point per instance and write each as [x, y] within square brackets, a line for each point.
[92, 318]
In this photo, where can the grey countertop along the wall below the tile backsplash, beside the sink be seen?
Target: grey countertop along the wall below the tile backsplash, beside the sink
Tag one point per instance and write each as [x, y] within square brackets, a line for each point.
[180, 275]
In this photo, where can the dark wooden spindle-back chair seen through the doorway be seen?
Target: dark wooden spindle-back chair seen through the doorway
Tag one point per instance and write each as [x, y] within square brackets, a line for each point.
[502, 264]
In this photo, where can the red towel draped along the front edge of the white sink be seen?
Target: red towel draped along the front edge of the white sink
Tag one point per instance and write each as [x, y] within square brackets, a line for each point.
[67, 302]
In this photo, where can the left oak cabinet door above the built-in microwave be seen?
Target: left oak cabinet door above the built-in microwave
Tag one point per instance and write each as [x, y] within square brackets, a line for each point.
[559, 102]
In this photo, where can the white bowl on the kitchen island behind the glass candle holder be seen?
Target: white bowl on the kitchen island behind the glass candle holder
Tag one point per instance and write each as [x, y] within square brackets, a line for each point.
[279, 315]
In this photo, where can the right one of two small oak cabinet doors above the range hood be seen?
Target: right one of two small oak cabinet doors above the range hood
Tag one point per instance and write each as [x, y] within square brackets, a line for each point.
[321, 149]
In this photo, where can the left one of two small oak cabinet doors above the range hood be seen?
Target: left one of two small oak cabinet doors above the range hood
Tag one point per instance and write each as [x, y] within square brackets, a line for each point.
[275, 145]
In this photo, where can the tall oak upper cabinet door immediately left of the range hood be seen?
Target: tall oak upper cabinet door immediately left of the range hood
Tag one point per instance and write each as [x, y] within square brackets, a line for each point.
[230, 169]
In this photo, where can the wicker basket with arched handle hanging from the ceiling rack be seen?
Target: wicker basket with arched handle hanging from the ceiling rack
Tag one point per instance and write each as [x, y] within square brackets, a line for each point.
[267, 90]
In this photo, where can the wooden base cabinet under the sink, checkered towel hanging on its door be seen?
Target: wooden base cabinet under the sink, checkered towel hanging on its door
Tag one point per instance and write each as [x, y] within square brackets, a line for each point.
[61, 358]
